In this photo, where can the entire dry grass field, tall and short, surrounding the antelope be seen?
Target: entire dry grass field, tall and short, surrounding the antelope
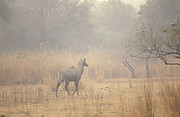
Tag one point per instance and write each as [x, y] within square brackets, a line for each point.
[28, 81]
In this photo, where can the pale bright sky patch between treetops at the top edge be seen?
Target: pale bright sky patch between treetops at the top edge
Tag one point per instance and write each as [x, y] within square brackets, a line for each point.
[135, 3]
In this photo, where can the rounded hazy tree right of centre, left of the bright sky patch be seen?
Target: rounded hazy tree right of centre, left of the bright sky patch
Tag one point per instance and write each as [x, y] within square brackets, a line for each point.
[115, 23]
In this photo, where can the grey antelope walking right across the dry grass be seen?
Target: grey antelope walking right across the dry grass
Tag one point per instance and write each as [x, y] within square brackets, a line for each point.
[72, 74]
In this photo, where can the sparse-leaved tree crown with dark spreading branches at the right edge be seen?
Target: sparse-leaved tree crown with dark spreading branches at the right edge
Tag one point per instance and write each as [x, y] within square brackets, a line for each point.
[163, 46]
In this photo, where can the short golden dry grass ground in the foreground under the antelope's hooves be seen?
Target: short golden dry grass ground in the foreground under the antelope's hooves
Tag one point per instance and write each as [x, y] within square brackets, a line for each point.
[104, 99]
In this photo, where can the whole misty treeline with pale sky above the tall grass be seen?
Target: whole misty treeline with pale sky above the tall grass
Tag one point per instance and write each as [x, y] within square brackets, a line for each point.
[79, 25]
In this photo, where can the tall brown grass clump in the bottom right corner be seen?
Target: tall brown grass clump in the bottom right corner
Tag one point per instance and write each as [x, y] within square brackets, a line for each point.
[170, 97]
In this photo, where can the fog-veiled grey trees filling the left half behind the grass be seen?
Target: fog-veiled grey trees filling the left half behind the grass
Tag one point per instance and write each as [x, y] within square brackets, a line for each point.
[58, 24]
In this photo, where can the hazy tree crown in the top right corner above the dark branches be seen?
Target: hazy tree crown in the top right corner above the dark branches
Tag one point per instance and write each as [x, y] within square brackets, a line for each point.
[159, 12]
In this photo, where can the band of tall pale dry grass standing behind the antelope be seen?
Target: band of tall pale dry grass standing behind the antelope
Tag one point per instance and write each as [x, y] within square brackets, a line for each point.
[41, 67]
